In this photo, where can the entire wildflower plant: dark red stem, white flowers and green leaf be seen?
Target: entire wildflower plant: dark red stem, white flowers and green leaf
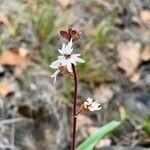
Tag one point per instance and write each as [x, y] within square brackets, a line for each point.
[66, 64]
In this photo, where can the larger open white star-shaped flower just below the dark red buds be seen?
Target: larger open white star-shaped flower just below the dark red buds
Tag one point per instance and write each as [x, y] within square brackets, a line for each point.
[65, 59]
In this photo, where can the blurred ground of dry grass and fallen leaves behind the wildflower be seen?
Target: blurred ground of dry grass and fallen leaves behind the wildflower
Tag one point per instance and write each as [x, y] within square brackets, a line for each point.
[115, 44]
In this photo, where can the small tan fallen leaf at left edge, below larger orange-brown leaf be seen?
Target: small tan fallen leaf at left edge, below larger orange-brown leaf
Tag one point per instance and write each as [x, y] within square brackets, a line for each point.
[5, 88]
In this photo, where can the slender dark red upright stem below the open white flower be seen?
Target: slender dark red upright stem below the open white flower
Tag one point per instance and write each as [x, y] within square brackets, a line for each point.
[74, 108]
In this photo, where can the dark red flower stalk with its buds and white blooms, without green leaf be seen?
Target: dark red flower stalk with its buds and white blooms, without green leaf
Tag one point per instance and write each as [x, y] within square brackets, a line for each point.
[65, 63]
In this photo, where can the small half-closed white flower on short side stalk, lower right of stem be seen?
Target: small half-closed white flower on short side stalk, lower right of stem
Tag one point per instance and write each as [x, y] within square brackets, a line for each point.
[91, 105]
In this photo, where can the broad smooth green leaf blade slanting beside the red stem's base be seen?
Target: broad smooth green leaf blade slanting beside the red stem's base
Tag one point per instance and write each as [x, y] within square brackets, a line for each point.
[90, 142]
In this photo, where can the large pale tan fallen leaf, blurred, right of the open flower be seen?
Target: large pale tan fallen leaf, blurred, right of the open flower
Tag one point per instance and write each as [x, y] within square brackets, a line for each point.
[129, 56]
